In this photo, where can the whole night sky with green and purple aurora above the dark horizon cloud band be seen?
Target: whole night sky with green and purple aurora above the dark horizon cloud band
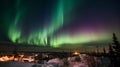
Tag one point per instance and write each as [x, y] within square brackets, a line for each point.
[59, 23]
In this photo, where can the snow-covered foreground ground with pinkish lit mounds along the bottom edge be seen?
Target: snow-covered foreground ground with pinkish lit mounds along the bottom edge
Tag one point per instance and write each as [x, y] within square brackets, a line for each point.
[77, 61]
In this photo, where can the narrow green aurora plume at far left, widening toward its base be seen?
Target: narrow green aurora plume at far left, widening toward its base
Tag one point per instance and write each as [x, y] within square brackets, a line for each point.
[14, 32]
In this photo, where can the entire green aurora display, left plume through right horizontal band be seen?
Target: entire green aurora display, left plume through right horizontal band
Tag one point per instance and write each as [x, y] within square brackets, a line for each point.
[40, 37]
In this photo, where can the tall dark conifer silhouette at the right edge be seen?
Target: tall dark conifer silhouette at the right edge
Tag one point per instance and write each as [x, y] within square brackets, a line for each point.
[114, 52]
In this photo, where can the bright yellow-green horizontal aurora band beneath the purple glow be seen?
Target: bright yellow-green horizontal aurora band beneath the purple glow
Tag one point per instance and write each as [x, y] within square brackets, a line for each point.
[78, 39]
